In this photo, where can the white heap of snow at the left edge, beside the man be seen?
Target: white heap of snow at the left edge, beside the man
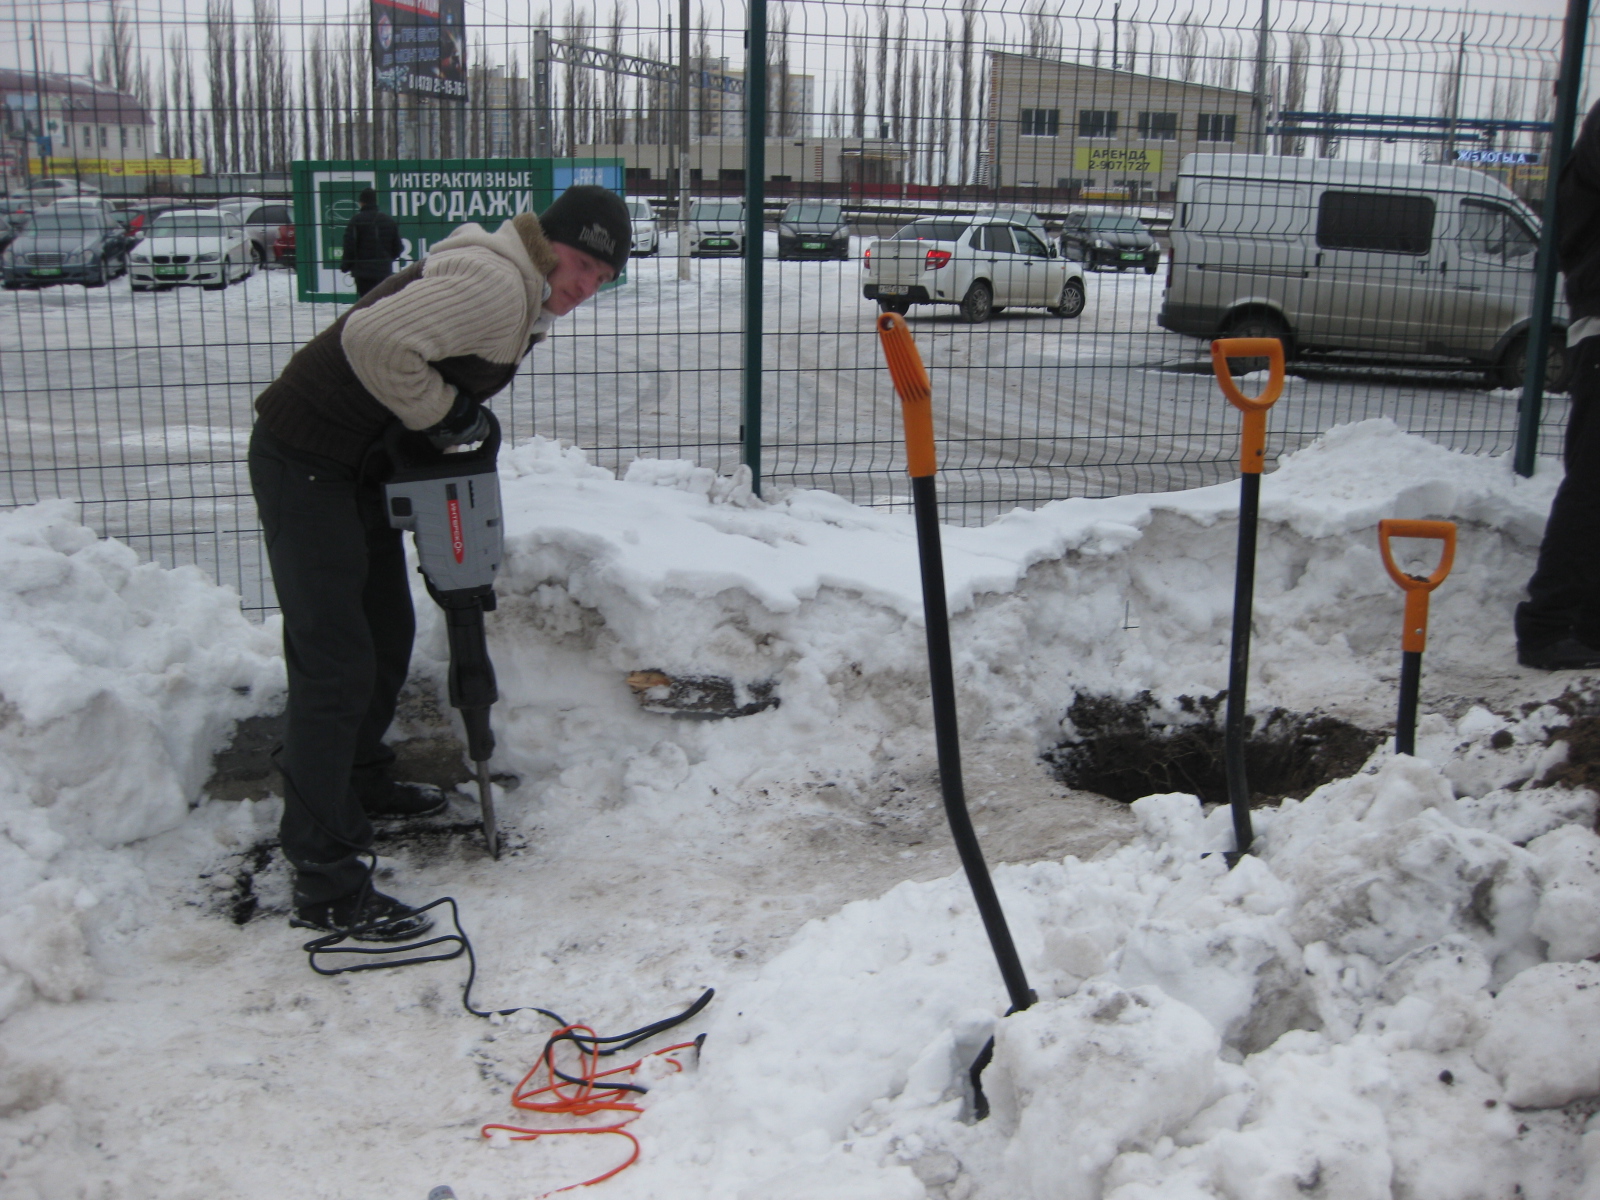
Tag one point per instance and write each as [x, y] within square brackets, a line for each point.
[118, 682]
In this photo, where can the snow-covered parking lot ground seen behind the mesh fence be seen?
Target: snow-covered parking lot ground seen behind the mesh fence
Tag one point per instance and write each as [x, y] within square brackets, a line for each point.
[140, 406]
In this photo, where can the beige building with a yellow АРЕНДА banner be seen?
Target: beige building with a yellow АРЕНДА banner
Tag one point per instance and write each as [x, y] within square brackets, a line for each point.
[1062, 126]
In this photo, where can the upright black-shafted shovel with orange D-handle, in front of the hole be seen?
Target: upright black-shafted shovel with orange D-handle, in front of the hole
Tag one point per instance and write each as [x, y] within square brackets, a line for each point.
[1252, 457]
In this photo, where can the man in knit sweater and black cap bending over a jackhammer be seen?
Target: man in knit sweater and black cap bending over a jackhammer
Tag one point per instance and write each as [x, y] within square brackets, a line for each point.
[426, 348]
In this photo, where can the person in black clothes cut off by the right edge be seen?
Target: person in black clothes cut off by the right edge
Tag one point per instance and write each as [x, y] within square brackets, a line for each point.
[1559, 623]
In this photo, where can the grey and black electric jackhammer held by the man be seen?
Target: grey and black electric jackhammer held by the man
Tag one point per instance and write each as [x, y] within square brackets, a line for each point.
[450, 503]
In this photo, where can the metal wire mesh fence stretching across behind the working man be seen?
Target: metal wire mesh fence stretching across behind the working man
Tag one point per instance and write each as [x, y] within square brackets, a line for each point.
[1082, 233]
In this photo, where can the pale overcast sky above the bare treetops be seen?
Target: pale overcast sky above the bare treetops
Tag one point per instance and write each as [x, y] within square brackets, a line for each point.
[1401, 49]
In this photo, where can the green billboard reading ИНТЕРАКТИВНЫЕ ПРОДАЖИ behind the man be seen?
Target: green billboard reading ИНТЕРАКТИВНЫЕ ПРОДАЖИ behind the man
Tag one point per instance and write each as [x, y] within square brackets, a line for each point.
[428, 199]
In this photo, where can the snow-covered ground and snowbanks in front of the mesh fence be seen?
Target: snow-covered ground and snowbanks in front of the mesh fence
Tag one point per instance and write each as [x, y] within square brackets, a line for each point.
[1393, 998]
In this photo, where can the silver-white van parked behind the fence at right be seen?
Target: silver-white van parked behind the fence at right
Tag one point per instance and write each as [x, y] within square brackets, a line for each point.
[1380, 258]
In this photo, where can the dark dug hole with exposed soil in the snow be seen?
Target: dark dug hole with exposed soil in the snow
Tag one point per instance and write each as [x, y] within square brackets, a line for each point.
[1126, 750]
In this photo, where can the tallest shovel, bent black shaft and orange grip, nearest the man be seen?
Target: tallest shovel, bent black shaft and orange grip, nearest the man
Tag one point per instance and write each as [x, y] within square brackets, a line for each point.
[916, 393]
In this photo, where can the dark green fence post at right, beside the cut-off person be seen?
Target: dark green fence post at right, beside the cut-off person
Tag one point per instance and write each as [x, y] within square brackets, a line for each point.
[1532, 406]
